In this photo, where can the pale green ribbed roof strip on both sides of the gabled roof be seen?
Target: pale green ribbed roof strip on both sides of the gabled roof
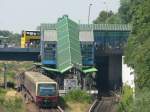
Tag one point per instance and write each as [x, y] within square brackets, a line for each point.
[85, 27]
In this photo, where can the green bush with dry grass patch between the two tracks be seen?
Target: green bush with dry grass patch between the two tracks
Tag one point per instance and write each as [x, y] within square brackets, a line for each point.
[76, 101]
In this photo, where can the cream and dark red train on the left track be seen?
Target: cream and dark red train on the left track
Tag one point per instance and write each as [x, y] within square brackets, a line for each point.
[42, 89]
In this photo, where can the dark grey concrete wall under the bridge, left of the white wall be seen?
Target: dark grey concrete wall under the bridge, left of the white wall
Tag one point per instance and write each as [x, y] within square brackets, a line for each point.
[115, 71]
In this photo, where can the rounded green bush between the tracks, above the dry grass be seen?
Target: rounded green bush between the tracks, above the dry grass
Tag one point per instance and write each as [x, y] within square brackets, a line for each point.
[78, 96]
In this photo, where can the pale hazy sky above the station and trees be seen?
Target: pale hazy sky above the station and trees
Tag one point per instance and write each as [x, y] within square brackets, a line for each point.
[18, 15]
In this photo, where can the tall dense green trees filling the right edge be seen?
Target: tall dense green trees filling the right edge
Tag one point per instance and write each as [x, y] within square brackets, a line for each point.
[137, 54]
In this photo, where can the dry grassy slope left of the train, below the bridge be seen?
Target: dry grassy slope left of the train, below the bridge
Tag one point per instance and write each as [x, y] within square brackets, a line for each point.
[14, 103]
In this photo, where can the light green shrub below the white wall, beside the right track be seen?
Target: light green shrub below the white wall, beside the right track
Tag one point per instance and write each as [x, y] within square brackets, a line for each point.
[127, 100]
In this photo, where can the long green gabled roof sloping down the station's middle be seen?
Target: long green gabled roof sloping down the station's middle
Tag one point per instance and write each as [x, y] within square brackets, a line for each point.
[68, 45]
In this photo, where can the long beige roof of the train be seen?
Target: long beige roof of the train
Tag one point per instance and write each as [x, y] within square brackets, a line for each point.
[38, 77]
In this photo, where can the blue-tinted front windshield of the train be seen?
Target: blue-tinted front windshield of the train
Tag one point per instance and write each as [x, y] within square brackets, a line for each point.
[47, 89]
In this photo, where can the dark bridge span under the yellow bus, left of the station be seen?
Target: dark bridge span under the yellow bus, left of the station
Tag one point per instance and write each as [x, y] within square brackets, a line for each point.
[19, 54]
